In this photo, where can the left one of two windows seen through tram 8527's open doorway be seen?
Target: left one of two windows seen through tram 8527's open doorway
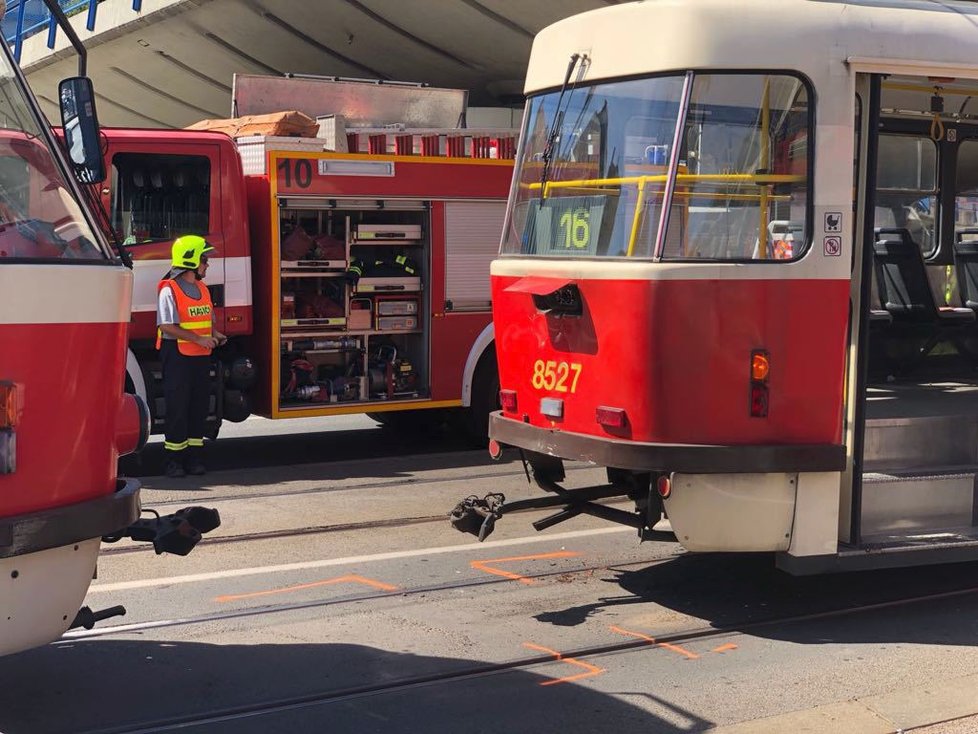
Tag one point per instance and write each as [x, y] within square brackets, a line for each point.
[906, 191]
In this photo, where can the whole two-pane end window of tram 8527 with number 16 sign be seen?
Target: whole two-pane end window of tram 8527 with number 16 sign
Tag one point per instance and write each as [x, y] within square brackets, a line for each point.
[597, 165]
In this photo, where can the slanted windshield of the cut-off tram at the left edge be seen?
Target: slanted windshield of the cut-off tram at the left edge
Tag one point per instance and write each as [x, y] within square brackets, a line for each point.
[40, 219]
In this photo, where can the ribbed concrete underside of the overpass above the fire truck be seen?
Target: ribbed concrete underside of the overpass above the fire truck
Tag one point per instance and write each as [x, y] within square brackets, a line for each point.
[173, 67]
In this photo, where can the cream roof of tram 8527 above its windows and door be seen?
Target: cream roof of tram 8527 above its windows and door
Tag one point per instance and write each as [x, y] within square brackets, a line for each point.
[815, 37]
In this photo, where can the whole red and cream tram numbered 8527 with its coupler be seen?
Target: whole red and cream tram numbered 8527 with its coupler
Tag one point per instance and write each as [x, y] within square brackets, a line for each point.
[745, 281]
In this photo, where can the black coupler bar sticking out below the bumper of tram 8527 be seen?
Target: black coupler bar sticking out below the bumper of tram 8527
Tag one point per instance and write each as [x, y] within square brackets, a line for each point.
[478, 516]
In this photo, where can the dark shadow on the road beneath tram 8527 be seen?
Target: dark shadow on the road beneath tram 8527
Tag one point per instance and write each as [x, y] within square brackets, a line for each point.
[738, 591]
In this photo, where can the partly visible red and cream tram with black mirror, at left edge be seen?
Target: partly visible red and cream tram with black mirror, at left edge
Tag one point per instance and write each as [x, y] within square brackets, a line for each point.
[64, 421]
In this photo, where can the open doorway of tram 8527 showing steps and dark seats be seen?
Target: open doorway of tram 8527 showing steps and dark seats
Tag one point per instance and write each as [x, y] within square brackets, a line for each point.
[915, 413]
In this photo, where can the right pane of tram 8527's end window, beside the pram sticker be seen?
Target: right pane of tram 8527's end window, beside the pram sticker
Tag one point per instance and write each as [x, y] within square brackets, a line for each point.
[746, 155]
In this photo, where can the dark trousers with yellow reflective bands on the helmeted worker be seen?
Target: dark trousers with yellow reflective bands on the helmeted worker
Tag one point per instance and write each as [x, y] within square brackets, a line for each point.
[186, 389]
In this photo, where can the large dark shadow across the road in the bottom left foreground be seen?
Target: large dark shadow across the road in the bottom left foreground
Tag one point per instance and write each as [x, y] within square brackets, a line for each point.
[103, 686]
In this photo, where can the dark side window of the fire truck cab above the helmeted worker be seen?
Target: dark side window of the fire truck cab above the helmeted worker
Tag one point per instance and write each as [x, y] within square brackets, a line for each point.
[160, 197]
